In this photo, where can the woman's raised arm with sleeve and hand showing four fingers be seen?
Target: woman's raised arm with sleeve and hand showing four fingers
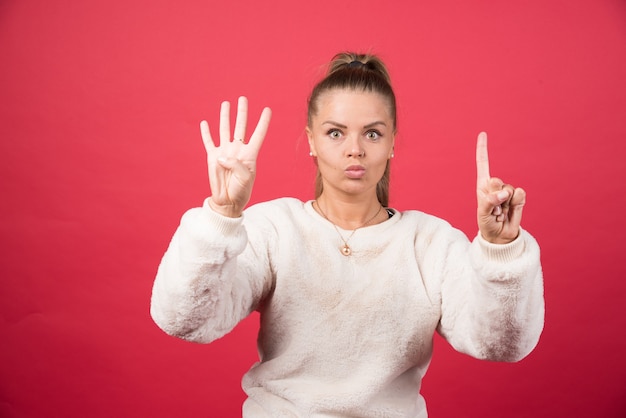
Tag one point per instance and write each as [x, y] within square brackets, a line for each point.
[210, 276]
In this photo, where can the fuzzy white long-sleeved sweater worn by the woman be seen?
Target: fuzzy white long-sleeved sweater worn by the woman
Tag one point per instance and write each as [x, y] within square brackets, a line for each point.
[346, 336]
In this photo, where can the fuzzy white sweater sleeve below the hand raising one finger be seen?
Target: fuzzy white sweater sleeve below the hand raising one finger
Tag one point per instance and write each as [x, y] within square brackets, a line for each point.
[492, 298]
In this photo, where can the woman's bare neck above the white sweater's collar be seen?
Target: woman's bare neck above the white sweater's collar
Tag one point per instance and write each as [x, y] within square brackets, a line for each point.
[350, 214]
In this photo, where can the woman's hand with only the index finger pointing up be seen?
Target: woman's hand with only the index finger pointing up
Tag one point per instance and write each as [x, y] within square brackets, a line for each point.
[500, 205]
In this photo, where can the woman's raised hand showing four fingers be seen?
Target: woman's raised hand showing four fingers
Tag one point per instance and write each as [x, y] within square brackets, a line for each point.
[232, 164]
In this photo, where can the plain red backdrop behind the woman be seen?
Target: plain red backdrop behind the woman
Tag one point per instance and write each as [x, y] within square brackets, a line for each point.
[101, 154]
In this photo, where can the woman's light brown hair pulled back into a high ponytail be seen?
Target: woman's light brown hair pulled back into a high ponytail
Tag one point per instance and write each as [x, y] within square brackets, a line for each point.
[359, 72]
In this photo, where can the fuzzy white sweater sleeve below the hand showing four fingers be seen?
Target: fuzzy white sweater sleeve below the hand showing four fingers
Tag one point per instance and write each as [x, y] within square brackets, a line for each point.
[209, 278]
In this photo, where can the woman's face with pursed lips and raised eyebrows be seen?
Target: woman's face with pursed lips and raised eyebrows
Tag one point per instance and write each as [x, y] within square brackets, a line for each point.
[352, 136]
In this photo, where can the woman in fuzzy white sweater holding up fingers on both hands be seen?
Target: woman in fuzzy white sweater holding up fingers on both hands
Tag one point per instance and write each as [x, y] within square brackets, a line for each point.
[349, 290]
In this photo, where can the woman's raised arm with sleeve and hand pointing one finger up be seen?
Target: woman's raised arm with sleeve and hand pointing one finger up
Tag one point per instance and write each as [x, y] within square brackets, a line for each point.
[492, 295]
